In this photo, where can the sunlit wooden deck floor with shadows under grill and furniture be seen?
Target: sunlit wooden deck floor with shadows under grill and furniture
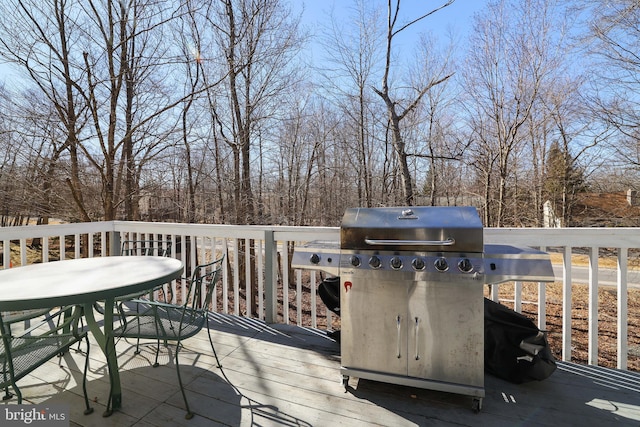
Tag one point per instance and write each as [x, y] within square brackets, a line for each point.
[279, 375]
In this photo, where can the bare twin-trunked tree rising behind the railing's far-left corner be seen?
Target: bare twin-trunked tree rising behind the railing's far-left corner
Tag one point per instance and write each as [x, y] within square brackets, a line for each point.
[124, 71]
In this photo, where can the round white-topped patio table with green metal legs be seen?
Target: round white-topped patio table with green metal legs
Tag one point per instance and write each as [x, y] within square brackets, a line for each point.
[84, 282]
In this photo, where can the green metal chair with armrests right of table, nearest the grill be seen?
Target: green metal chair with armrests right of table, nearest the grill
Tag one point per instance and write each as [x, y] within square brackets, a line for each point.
[169, 322]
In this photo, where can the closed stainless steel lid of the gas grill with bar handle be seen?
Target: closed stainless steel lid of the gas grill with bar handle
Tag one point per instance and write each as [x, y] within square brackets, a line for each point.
[416, 228]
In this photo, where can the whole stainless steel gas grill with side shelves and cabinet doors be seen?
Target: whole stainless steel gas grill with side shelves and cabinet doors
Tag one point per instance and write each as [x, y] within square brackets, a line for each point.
[411, 293]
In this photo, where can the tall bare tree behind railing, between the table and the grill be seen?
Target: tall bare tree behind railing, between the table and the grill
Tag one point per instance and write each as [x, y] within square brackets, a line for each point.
[259, 40]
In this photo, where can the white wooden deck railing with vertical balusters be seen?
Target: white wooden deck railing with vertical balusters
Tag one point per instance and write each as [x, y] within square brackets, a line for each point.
[193, 243]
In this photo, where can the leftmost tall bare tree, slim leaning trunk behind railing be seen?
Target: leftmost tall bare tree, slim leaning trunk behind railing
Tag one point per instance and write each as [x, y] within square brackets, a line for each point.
[40, 39]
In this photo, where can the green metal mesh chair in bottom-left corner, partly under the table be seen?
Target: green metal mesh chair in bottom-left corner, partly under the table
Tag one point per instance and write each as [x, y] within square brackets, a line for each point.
[51, 336]
